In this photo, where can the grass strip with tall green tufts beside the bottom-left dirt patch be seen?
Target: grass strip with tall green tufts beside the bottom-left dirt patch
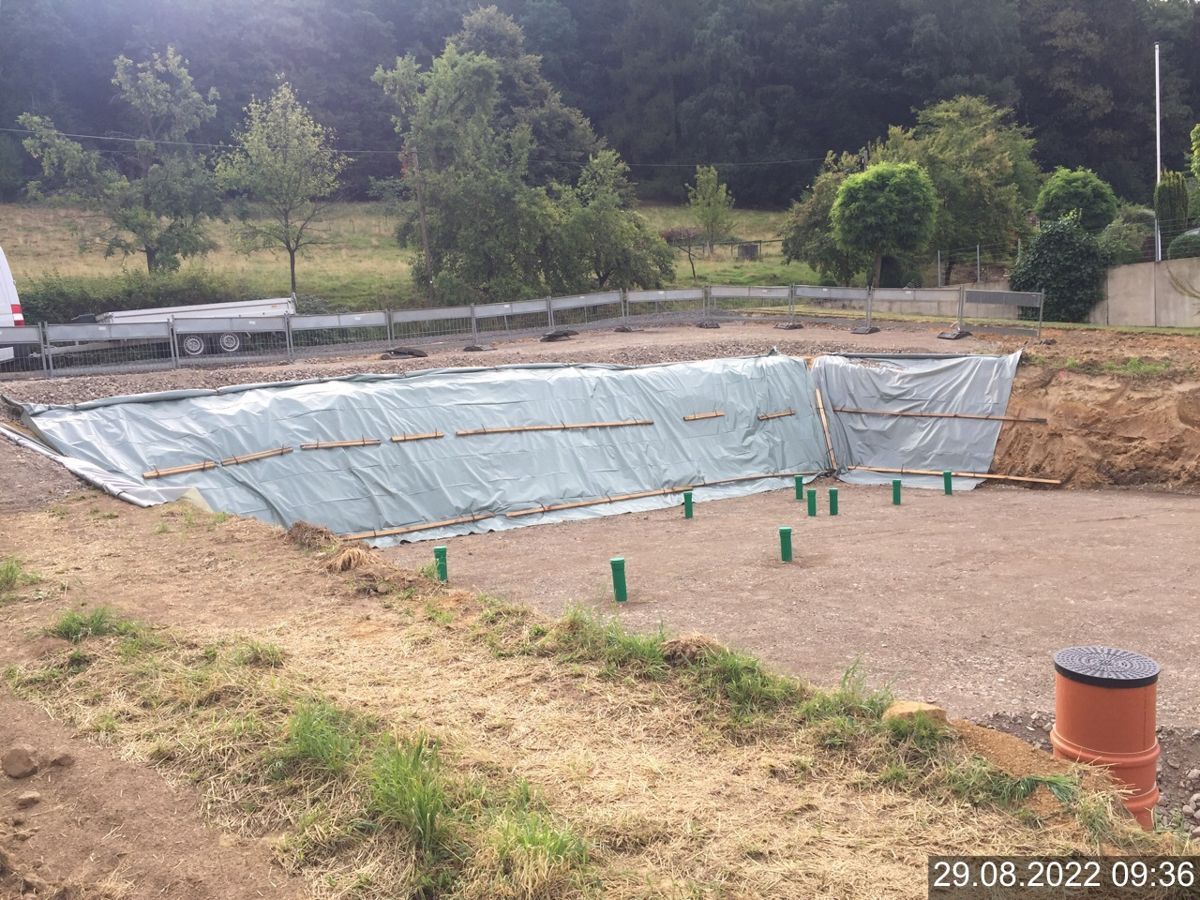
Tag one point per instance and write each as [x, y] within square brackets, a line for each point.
[363, 812]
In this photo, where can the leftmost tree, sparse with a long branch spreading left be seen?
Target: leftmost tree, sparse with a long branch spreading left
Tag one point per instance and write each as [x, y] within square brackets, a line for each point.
[157, 193]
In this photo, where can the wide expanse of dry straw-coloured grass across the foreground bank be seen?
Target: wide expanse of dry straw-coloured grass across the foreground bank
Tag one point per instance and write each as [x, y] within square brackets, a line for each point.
[671, 791]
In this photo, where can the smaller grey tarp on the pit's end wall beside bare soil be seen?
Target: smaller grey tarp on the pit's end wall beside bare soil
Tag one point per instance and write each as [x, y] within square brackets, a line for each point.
[980, 386]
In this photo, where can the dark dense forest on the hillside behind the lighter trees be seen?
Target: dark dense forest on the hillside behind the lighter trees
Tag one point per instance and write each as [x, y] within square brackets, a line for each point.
[761, 88]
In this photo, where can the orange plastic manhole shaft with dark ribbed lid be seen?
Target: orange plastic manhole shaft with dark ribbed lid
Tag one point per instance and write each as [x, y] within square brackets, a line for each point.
[1105, 716]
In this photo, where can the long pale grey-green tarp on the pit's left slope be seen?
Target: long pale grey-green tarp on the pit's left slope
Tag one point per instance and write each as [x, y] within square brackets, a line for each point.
[362, 489]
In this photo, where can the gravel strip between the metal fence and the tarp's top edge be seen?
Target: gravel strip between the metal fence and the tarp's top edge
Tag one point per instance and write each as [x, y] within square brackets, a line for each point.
[662, 345]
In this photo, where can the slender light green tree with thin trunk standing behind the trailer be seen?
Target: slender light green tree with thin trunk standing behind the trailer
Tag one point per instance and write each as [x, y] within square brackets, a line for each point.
[286, 167]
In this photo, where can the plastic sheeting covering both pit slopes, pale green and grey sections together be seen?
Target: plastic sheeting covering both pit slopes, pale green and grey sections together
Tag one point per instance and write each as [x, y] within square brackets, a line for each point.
[652, 445]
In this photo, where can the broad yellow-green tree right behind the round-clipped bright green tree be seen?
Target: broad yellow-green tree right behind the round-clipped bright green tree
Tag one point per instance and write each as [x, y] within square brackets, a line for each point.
[982, 167]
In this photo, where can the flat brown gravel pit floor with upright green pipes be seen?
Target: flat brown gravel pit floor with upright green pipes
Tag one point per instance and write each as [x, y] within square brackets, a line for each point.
[959, 601]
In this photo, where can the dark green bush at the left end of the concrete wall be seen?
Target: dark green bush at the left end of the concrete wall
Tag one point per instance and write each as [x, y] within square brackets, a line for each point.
[1065, 262]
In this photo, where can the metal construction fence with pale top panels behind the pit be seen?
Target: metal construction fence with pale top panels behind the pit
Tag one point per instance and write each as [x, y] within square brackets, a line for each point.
[92, 349]
